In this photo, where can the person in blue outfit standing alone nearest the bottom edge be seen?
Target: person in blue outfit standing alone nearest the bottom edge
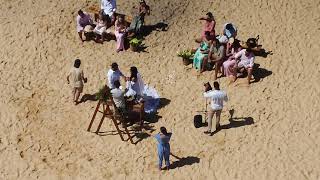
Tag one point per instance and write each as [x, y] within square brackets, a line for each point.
[163, 138]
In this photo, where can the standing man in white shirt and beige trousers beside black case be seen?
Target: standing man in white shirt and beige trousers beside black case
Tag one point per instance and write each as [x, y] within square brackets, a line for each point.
[217, 97]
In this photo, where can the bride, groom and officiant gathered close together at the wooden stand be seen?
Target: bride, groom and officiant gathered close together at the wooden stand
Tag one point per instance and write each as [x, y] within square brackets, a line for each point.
[133, 90]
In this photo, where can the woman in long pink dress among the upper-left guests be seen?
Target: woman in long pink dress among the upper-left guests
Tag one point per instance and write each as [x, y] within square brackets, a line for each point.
[120, 32]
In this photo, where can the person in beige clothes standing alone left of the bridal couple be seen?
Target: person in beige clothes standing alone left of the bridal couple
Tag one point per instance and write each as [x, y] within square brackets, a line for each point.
[77, 79]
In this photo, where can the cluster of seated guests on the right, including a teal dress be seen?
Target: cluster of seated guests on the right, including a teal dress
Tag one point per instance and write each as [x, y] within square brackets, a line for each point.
[223, 52]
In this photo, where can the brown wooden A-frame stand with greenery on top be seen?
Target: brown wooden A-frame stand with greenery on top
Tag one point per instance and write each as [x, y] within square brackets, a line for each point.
[107, 112]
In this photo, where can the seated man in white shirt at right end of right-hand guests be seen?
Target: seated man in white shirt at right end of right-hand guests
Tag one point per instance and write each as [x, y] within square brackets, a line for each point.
[245, 61]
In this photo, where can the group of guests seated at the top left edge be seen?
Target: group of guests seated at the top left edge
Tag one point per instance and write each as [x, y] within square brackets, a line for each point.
[99, 29]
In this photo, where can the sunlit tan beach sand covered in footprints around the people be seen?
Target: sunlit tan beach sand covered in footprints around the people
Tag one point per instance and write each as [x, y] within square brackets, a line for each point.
[43, 135]
